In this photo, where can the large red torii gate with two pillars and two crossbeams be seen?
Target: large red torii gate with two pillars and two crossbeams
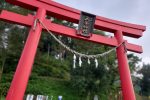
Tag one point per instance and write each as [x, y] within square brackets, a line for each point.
[45, 7]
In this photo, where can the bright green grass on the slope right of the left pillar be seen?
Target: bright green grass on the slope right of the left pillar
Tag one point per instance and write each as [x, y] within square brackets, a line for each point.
[52, 87]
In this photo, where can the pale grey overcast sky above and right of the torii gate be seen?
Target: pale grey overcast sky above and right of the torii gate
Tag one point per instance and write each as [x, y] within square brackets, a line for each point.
[132, 11]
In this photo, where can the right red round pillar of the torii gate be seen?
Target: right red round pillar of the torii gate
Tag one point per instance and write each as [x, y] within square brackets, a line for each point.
[124, 71]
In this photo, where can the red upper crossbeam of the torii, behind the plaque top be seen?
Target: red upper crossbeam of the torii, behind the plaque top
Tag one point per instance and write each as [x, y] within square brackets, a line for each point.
[63, 12]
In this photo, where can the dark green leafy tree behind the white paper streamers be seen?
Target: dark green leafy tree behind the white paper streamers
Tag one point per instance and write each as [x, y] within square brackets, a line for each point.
[88, 79]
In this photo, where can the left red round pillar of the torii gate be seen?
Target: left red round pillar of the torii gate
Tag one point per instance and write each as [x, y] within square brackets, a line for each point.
[20, 79]
